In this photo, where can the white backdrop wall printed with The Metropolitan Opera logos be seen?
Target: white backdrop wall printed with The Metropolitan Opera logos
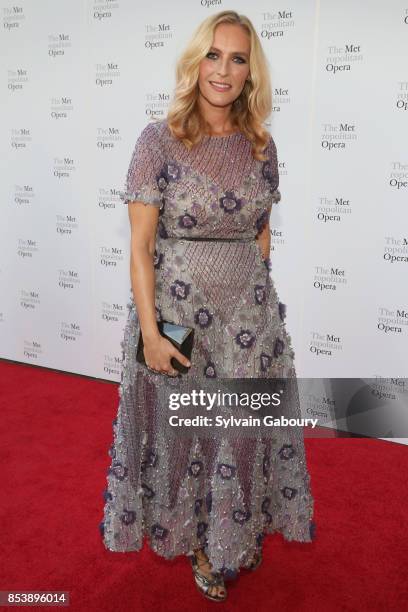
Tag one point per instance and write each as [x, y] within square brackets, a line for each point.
[80, 79]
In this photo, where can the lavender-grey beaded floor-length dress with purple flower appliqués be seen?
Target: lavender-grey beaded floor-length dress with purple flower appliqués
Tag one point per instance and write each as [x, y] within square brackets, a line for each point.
[181, 492]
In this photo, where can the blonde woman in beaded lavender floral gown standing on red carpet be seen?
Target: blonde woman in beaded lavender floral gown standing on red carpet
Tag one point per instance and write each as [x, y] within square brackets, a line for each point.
[200, 188]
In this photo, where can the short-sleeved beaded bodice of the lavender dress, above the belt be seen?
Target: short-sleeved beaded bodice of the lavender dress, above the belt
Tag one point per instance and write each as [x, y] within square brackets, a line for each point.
[216, 189]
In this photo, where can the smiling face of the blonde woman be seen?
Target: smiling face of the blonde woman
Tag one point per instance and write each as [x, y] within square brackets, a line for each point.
[227, 63]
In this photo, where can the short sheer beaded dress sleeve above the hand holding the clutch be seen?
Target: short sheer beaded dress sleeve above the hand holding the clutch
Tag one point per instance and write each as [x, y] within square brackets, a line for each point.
[143, 177]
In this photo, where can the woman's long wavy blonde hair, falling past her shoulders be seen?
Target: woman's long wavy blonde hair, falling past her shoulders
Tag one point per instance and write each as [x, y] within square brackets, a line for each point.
[248, 111]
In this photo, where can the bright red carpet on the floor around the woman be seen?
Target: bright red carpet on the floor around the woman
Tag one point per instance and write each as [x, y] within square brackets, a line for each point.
[55, 432]
